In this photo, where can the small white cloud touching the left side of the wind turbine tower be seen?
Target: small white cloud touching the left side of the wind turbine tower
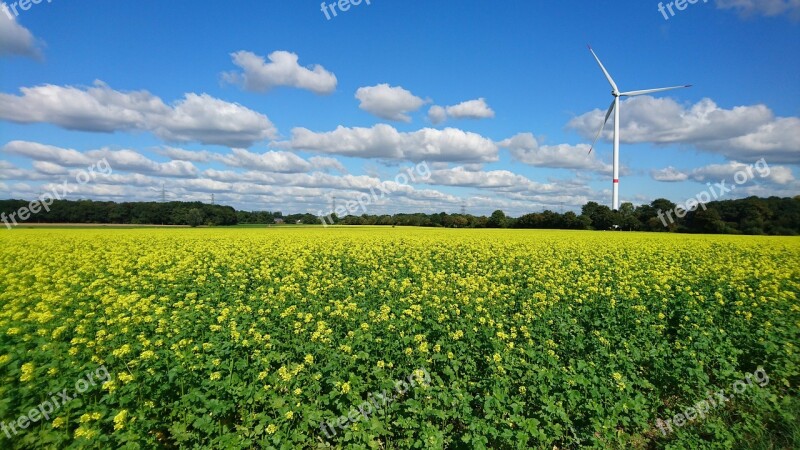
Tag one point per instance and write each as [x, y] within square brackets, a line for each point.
[526, 149]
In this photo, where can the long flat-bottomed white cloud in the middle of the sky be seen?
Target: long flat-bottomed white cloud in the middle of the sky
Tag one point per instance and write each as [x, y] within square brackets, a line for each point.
[385, 142]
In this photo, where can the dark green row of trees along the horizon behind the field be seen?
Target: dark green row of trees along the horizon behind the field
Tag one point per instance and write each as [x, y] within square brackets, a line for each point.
[753, 215]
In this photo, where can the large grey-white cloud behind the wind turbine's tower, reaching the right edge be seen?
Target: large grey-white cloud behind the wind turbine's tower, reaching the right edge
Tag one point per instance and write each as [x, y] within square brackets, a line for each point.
[744, 133]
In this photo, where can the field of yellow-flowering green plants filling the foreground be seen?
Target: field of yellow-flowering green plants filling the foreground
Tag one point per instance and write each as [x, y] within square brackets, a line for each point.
[255, 338]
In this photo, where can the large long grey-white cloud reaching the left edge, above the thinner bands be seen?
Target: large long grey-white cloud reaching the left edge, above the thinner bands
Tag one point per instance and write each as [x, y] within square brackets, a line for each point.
[195, 118]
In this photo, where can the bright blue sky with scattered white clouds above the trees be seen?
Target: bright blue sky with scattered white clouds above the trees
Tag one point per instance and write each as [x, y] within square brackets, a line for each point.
[274, 106]
